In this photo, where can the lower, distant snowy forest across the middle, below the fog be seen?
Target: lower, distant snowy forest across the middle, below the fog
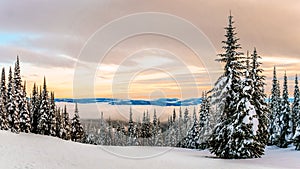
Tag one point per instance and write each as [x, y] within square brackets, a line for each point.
[181, 130]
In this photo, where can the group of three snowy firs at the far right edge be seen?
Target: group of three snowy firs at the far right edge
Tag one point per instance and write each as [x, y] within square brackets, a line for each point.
[284, 126]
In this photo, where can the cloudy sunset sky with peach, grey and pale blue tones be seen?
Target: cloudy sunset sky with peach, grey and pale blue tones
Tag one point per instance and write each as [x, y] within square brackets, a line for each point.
[142, 49]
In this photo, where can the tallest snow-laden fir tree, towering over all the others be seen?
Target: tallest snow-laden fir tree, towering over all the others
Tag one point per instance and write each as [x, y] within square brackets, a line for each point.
[224, 94]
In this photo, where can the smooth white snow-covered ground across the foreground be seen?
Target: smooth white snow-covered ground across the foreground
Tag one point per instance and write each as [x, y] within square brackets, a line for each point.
[28, 151]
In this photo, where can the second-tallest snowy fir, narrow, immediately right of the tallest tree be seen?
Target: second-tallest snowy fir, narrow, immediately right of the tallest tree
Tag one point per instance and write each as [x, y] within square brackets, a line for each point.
[258, 98]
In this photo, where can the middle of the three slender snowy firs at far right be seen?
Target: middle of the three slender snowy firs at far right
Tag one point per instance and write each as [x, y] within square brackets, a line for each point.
[284, 120]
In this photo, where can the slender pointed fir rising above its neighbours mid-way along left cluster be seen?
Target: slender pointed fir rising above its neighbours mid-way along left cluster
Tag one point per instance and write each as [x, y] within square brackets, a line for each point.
[43, 121]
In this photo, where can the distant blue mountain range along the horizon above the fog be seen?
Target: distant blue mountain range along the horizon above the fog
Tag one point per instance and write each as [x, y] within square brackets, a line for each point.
[156, 102]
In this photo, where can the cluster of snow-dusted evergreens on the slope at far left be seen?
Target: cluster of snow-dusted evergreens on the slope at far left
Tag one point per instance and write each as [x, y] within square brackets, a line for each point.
[37, 114]
